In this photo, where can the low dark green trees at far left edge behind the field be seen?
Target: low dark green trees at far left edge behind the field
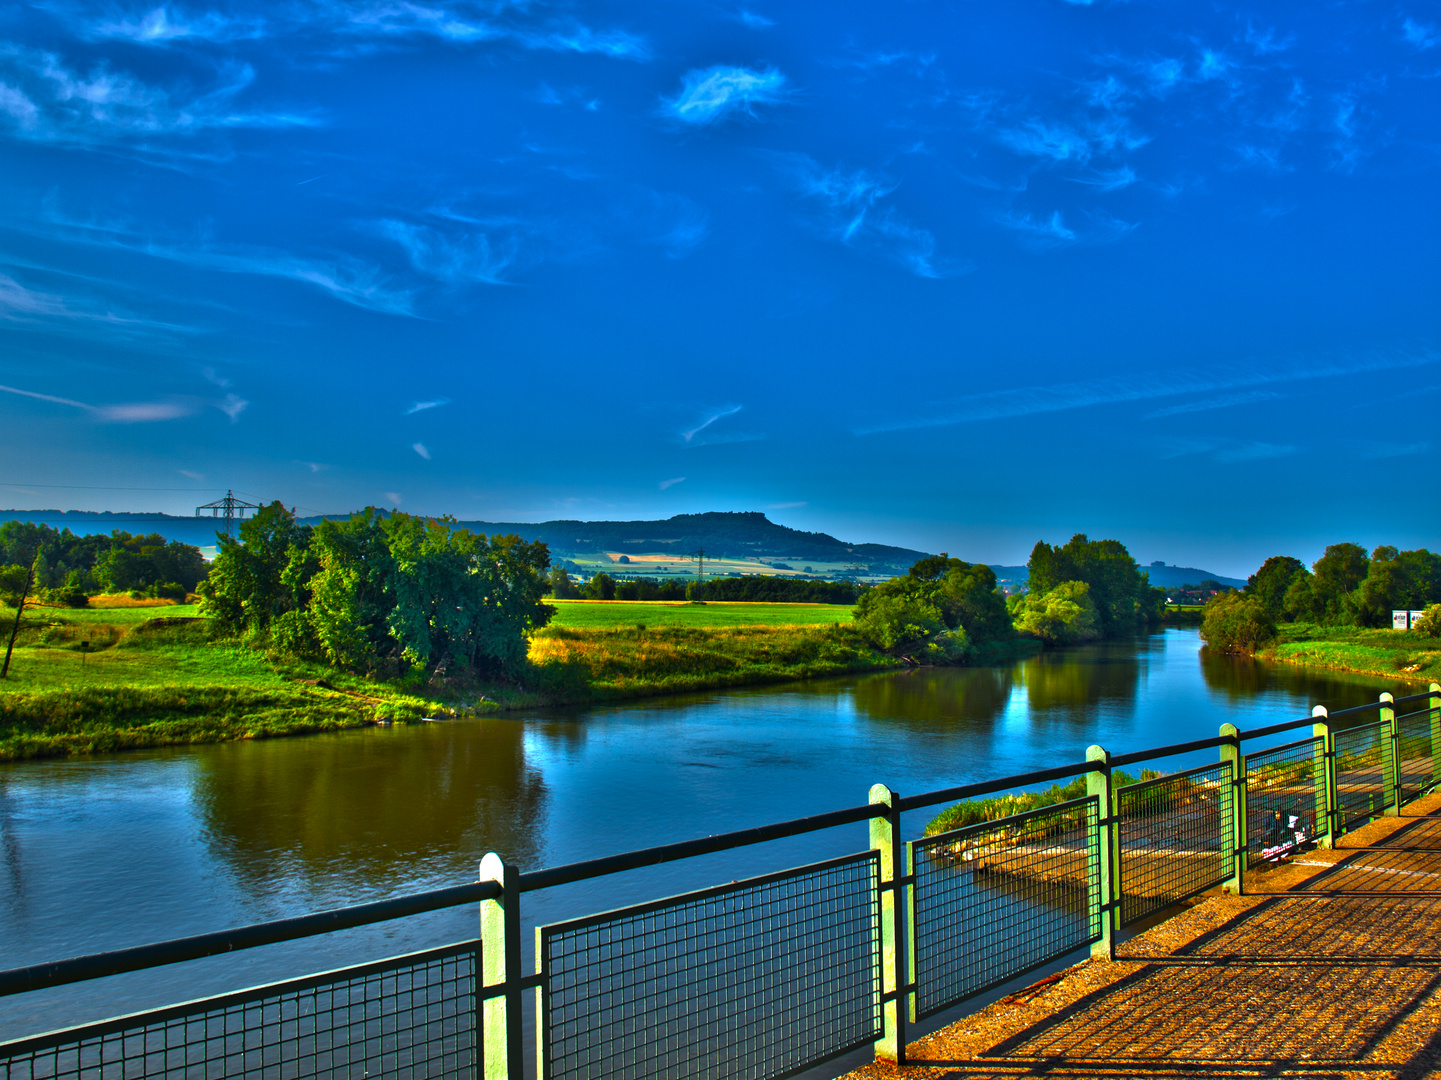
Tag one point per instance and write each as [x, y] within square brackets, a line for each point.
[70, 569]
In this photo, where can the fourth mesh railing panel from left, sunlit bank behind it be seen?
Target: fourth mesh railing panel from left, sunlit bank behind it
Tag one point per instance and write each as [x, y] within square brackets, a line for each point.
[1174, 834]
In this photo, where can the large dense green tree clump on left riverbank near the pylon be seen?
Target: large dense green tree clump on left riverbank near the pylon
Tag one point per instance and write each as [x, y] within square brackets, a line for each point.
[381, 592]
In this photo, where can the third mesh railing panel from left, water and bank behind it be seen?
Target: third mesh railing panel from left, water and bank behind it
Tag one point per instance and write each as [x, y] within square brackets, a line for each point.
[999, 899]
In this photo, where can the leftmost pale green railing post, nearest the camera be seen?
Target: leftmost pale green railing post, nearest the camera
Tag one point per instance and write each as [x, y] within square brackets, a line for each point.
[502, 1058]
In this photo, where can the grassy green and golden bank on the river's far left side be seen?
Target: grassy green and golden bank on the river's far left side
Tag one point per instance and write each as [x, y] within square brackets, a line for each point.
[109, 680]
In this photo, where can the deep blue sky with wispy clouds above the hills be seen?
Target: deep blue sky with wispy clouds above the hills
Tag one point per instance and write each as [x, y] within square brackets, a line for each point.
[950, 276]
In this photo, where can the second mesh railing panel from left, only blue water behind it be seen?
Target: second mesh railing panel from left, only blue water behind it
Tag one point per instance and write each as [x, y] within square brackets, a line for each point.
[753, 980]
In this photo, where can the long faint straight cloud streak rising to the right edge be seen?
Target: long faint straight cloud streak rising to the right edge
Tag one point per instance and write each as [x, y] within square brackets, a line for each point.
[1025, 402]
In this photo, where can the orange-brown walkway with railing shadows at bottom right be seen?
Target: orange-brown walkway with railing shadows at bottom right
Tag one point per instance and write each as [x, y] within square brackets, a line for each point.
[1329, 968]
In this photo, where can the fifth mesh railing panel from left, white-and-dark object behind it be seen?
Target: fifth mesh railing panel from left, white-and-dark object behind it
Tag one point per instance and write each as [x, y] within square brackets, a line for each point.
[1283, 813]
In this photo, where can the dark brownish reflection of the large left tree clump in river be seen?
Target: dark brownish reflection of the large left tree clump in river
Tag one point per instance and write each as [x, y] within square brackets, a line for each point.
[370, 807]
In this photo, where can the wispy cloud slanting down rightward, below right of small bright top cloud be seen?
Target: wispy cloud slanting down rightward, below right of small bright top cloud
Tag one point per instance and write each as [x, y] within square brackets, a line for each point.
[852, 216]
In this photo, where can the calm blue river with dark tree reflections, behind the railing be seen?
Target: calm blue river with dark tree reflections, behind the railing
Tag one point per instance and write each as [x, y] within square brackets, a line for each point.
[115, 851]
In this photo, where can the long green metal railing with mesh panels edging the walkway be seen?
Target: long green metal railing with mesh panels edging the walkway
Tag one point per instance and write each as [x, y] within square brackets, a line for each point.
[775, 974]
